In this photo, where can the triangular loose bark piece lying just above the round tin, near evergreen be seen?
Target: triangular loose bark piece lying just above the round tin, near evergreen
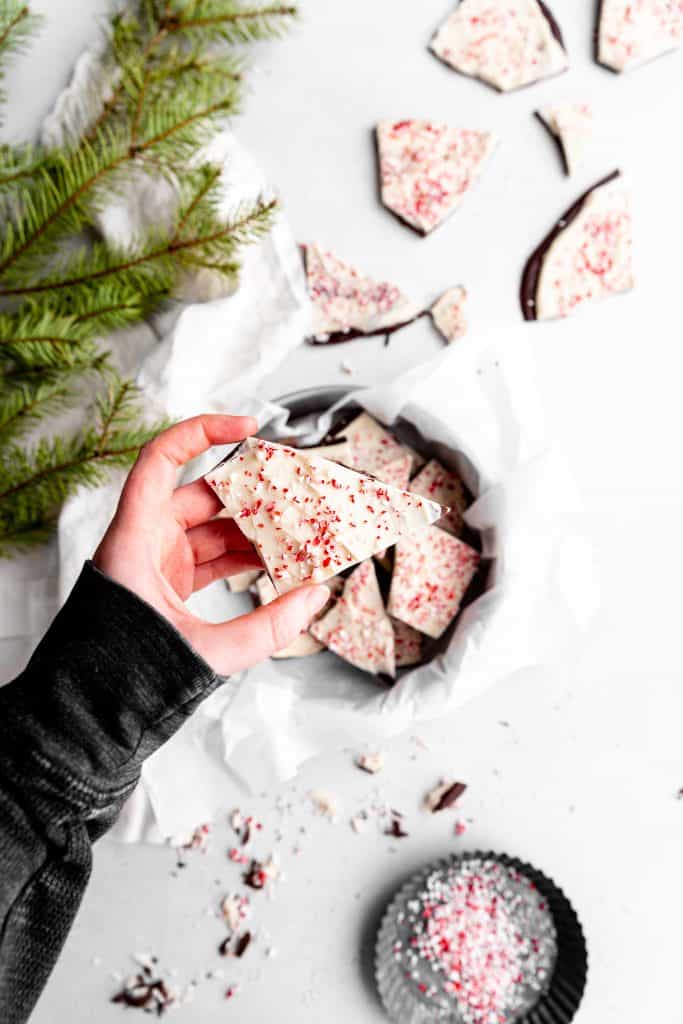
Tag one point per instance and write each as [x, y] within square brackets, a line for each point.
[348, 305]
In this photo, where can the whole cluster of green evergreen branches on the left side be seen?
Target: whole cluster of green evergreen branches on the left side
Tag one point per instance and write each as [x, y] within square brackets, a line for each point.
[169, 79]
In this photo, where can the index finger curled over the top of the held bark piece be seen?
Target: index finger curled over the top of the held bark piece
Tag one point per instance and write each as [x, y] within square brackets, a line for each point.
[153, 478]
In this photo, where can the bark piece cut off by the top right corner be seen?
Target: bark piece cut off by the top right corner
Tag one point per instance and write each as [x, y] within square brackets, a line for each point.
[633, 32]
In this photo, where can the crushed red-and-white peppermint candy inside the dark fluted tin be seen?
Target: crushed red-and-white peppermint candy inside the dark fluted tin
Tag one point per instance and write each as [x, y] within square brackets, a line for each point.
[480, 934]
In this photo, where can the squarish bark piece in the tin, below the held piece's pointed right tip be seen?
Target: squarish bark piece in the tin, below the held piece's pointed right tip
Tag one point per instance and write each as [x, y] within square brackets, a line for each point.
[432, 573]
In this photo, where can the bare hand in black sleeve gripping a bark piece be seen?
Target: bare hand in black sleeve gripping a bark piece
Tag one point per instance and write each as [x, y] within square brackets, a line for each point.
[164, 544]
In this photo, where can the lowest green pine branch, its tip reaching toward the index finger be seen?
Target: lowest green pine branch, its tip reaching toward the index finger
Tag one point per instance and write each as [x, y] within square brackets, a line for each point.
[34, 483]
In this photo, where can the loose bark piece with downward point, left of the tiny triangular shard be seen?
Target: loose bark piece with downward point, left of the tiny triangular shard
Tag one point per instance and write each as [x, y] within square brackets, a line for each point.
[426, 168]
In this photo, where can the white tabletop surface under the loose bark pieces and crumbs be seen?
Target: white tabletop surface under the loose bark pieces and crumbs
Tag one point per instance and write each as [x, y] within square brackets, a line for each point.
[583, 781]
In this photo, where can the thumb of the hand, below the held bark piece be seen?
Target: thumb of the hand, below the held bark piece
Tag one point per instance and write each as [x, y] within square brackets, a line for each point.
[241, 644]
